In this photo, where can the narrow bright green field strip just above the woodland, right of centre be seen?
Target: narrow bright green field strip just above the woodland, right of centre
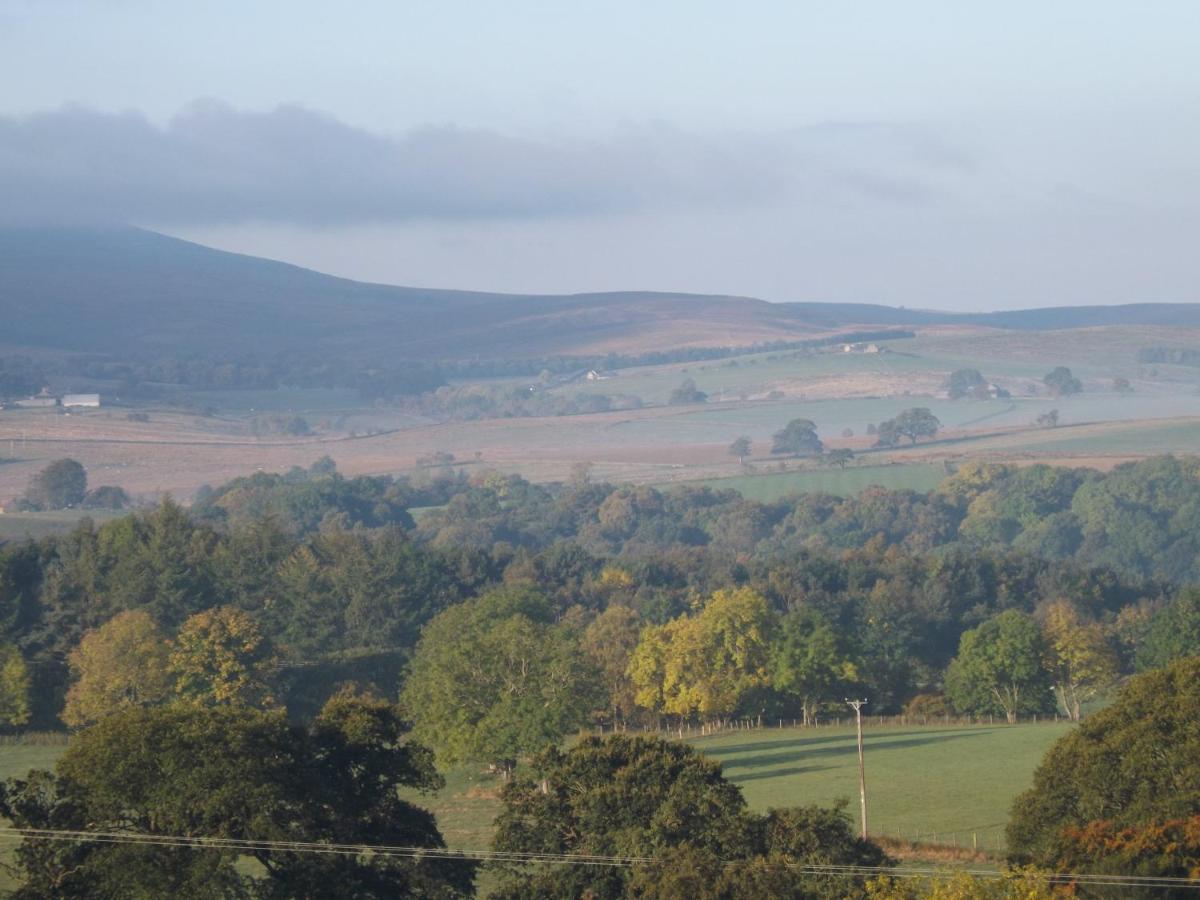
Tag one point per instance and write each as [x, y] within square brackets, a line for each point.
[844, 483]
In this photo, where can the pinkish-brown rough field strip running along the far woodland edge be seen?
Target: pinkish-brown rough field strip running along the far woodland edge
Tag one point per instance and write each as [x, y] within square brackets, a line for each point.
[178, 453]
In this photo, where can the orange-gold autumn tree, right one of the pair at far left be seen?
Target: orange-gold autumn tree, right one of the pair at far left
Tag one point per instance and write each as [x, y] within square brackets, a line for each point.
[221, 658]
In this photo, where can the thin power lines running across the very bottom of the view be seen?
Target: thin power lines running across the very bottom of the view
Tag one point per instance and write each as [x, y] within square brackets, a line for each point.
[241, 844]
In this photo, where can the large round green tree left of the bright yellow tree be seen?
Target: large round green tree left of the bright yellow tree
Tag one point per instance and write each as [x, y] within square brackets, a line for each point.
[494, 680]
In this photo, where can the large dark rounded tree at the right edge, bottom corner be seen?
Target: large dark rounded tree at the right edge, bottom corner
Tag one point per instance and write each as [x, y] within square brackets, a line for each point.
[1133, 764]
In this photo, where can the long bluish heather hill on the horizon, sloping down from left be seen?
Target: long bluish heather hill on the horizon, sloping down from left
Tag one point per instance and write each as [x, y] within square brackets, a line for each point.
[129, 292]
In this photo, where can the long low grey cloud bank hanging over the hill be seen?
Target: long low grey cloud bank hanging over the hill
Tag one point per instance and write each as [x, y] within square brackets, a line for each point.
[214, 165]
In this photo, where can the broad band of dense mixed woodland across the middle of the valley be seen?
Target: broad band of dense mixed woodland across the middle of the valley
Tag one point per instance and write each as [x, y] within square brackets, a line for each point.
[341, 581]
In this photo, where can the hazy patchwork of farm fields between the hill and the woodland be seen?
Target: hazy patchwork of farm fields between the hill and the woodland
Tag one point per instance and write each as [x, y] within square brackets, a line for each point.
[223, 435]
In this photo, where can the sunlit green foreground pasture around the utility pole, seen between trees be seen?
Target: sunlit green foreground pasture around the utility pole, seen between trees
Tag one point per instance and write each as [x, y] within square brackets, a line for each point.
[944, 783]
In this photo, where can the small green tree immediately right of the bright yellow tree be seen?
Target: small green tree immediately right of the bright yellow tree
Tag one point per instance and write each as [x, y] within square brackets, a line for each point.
[807, 661]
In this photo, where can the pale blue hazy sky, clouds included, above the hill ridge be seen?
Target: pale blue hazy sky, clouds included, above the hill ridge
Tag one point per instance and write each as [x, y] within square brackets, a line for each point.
[929, 154]
